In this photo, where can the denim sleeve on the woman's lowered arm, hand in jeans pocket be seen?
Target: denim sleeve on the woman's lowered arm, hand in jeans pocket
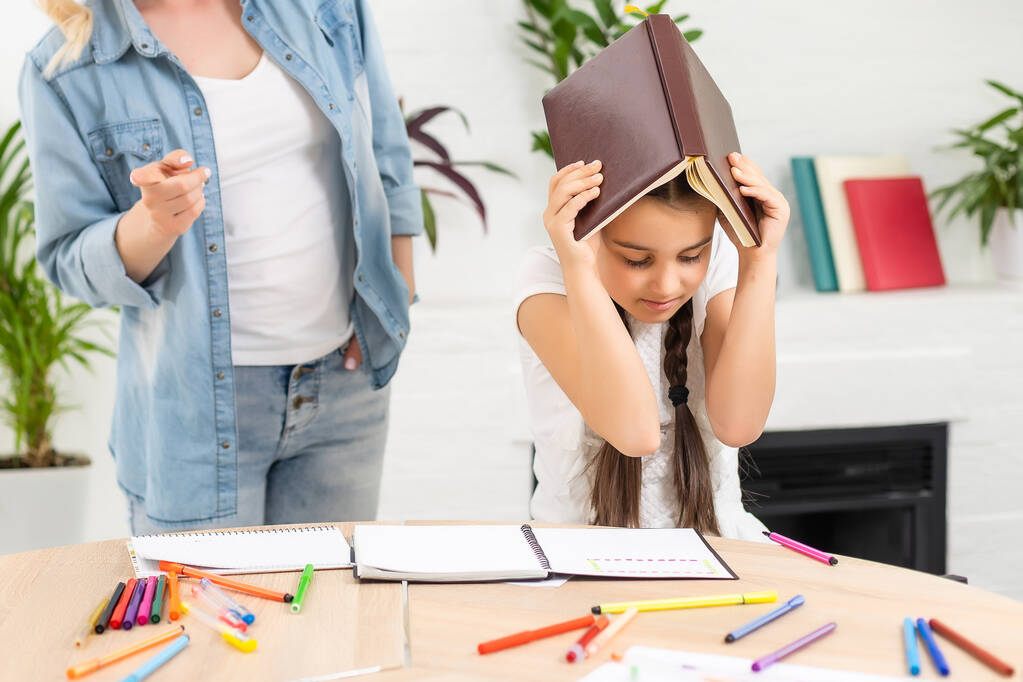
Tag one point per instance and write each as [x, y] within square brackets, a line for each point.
[394, 157]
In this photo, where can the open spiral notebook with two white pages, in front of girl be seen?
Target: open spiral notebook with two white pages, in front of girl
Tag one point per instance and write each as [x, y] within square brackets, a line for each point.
[471, 554]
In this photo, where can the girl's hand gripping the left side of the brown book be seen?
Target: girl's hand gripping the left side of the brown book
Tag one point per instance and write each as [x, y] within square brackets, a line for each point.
[572, 189]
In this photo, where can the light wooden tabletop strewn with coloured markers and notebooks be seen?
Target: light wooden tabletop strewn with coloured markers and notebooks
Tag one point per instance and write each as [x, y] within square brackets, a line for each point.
[346, 624]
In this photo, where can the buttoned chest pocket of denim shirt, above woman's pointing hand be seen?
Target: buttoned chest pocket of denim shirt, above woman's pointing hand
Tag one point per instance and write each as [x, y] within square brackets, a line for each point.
[119, 149]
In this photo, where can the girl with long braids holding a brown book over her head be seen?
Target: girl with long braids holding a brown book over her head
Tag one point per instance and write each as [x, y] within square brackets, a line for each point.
[649, 356]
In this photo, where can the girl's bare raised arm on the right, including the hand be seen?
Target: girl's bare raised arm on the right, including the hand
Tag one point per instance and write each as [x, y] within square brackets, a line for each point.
[739, 334]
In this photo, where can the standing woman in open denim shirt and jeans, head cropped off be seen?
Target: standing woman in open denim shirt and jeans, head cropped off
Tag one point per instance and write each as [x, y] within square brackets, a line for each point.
[237, 177]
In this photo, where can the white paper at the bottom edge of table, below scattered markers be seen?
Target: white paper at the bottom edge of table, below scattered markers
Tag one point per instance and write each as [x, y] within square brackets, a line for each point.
[653, 665]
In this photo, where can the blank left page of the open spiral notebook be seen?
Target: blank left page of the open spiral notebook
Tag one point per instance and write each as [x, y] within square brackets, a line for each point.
[444, 550]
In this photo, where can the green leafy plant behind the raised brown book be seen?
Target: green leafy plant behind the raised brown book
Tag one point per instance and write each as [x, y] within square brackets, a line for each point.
[566, 37]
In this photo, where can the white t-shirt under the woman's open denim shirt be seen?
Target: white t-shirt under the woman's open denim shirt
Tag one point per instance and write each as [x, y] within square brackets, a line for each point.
[288, 219]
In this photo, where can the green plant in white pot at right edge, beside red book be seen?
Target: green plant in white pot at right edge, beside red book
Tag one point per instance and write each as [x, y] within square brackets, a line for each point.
[996, 192]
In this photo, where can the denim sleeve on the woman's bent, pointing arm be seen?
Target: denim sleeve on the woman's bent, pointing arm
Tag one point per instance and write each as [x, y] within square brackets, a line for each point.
[76, 217]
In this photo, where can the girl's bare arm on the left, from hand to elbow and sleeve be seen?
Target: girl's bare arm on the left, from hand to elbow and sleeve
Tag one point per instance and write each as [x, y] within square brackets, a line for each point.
[581, 338]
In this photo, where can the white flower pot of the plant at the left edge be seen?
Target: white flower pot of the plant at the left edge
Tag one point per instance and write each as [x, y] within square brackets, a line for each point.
[43, 508]
